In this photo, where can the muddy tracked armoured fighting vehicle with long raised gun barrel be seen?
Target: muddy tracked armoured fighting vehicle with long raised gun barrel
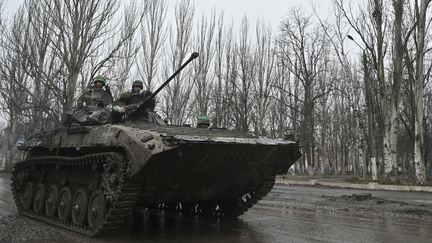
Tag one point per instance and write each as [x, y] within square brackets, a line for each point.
[89, 179]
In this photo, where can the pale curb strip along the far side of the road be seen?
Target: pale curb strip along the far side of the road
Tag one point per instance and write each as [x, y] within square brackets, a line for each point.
[369, 186]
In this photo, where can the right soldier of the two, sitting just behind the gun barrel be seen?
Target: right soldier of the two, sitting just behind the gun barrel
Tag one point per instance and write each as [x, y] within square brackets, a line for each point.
[128, 99]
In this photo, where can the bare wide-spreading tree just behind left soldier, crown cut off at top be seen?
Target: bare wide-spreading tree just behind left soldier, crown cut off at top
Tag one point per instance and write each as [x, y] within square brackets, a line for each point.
[80, 29]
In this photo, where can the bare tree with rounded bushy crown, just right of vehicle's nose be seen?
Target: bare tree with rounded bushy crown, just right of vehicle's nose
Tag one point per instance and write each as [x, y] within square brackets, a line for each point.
[305, 60]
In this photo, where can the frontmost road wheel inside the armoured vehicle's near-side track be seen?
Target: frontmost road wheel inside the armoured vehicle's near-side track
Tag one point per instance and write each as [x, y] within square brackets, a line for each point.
[96, 210]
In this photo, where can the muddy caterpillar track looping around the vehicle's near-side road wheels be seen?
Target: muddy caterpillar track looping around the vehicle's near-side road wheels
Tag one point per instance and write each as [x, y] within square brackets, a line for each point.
[117, 211]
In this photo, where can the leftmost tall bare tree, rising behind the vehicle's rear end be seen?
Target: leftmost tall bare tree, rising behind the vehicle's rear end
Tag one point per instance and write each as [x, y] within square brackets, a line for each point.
[29, 39]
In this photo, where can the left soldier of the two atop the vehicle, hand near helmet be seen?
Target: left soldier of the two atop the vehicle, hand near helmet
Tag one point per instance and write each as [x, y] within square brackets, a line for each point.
[96, 96]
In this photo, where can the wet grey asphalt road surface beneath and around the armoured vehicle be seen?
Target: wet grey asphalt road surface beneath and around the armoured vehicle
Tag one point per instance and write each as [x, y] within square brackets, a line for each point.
[287, 214]
